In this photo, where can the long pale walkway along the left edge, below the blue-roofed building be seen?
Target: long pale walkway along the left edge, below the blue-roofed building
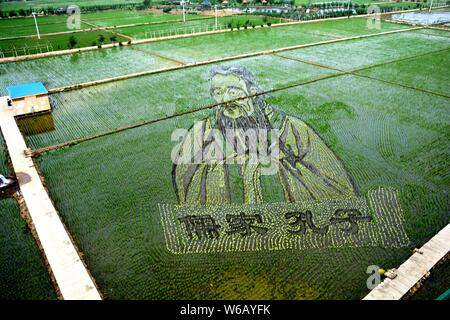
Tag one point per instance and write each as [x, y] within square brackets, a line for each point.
[72, 277]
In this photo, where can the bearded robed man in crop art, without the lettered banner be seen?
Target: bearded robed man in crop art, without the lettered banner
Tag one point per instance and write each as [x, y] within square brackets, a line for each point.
[306, 169]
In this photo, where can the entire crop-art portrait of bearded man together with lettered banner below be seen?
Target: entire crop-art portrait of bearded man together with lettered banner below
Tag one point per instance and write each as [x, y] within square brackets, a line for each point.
[251, 177]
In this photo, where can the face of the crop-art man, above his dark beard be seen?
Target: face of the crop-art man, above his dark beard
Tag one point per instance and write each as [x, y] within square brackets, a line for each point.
[225, 88]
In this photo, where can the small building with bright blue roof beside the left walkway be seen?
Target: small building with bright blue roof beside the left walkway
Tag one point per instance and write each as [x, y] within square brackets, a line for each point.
[29, 98]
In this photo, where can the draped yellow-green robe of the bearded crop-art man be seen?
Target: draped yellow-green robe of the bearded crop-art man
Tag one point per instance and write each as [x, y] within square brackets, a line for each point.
[307, 169]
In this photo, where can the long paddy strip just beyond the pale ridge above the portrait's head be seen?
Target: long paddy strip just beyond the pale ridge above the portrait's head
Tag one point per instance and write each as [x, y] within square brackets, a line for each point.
[106, 63]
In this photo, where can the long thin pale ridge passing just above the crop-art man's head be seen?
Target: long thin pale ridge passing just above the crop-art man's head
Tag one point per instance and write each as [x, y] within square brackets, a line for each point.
[218, 60]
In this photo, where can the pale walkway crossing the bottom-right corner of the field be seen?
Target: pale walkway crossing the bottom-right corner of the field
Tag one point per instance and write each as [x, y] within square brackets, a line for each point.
[413, 269]
